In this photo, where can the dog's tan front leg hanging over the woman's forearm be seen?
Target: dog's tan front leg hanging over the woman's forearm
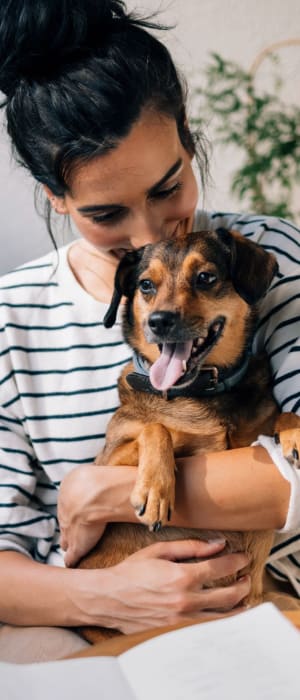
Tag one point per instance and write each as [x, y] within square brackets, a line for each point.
[153, 496]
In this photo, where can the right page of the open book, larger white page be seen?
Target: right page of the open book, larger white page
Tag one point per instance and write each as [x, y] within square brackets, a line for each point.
[254, 655]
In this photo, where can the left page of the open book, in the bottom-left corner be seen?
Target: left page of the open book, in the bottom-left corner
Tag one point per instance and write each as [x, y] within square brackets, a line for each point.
[97, 678]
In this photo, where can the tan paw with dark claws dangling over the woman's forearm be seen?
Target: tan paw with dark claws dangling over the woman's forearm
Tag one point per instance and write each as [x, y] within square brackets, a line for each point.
[153, 501]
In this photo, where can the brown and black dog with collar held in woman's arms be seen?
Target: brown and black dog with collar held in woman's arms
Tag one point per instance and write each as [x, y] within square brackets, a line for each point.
[193, 387]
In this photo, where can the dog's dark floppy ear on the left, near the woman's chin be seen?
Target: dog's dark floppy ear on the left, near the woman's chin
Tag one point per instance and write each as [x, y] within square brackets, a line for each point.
[124, 283]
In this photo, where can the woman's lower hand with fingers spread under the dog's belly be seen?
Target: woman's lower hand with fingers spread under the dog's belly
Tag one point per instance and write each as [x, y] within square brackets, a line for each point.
[151, 588]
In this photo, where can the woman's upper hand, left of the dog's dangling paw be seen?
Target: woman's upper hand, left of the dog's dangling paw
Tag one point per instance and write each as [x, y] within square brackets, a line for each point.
[89, 497]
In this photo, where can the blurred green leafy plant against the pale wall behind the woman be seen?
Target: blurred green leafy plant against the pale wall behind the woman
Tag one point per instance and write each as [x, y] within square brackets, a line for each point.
[264, 129]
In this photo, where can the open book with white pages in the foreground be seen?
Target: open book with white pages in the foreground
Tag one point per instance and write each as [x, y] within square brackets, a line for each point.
[254, 656]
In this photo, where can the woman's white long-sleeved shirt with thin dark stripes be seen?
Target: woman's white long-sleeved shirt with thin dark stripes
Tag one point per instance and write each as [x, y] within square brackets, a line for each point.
[58, 380]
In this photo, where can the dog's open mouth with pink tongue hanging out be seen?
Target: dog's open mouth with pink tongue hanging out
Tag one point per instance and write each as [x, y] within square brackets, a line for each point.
[179, 363]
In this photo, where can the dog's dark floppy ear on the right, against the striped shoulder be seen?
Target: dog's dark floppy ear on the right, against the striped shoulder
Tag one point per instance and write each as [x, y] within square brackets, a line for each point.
[252, 267]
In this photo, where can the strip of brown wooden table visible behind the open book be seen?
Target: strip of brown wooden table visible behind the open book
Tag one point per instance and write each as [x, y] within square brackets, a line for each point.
[116, 645]
